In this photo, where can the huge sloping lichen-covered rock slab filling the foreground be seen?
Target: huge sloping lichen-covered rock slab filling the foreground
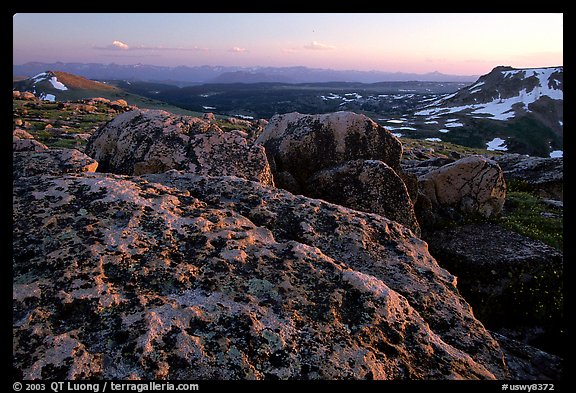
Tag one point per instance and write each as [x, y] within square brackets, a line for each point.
[178, 276]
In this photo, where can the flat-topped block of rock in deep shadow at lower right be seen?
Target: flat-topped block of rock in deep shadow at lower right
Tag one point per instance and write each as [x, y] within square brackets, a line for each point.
[513, 283]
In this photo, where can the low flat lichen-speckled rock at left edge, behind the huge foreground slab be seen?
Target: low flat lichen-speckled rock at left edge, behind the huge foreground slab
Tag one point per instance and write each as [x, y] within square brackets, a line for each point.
[51, 161]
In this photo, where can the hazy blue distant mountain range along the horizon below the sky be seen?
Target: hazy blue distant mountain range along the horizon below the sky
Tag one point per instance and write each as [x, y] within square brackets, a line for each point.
[184, 75]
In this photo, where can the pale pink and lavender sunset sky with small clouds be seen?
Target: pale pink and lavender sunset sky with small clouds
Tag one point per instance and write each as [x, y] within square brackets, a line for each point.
[452, 43]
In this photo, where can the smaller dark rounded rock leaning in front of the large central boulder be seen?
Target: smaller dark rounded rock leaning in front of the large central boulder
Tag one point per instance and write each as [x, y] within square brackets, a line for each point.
[365, 185]
